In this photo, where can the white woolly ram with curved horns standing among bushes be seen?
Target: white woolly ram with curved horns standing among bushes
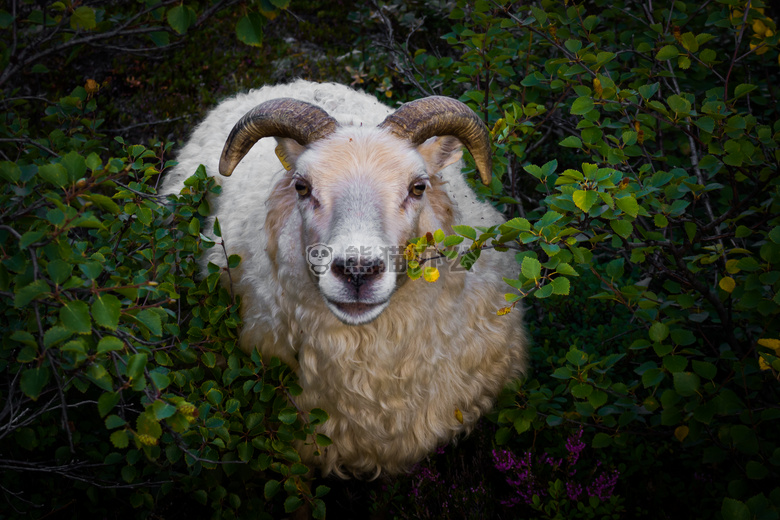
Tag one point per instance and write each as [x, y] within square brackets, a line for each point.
[320, 217]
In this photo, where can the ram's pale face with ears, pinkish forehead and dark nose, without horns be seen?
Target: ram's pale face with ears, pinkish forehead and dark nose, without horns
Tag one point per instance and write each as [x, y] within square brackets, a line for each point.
[362, 193]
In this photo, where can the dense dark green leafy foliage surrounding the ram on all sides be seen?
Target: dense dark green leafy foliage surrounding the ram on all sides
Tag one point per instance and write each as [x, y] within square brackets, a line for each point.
[637, 155]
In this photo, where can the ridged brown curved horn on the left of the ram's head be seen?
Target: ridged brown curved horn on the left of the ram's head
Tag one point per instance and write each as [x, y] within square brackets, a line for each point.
[282, 117]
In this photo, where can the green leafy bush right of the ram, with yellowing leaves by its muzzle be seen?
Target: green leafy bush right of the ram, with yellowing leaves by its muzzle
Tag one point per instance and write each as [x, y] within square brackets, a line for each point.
[661, 206]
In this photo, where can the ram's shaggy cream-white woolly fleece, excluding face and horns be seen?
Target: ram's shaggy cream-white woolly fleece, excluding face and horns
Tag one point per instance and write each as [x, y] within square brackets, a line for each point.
[393, 387]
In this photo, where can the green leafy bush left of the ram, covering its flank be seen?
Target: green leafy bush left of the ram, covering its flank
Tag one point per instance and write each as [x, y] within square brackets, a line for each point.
[122, 372]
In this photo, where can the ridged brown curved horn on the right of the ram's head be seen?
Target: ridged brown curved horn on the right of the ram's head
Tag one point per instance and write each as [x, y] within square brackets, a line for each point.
[438, 115]
